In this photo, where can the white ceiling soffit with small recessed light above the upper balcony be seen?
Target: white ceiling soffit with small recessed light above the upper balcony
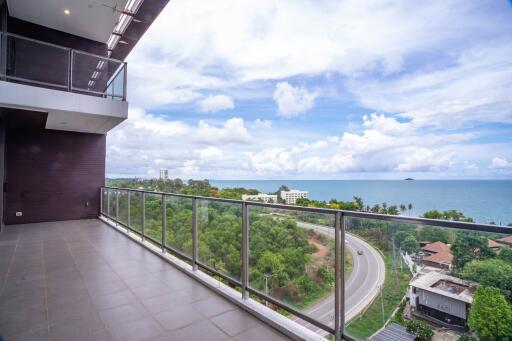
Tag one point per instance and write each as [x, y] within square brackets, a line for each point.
[92, 19]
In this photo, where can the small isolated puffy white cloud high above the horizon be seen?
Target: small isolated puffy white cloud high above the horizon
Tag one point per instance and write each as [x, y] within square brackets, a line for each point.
[292, 101]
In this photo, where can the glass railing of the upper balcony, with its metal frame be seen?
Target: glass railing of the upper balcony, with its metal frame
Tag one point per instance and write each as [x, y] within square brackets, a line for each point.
[38, 63]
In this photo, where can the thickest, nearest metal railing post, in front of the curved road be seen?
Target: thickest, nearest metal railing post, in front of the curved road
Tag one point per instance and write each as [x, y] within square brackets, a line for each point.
[339, 273]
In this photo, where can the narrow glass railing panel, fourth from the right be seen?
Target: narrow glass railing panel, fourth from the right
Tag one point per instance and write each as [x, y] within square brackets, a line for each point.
[178, 233]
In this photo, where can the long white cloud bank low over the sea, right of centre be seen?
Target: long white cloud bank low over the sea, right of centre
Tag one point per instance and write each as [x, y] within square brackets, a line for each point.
[385, 145]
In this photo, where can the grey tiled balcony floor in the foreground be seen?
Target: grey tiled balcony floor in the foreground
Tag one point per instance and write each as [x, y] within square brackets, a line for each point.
[82, 280]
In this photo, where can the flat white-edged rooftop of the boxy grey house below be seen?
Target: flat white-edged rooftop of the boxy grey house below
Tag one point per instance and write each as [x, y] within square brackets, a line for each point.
[445, 285]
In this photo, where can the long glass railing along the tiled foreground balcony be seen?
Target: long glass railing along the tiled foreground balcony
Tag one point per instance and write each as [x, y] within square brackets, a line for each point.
[341, 273]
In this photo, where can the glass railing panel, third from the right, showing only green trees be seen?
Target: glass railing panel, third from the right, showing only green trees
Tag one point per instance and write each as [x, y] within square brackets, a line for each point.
[220, 236]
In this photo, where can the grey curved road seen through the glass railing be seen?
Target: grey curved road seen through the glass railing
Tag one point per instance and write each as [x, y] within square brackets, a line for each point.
[361, 287]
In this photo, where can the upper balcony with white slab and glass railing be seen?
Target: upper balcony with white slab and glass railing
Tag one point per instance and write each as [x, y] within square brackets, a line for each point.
[80, 91]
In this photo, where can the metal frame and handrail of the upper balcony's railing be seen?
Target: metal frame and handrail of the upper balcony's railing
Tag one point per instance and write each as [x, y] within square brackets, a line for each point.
[69, 87]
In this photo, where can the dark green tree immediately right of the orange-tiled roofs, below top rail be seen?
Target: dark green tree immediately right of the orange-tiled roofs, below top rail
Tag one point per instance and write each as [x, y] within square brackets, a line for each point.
[468, 247]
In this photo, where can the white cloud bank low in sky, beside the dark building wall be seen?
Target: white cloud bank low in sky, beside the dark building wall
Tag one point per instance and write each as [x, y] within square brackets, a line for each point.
[145, 143]
